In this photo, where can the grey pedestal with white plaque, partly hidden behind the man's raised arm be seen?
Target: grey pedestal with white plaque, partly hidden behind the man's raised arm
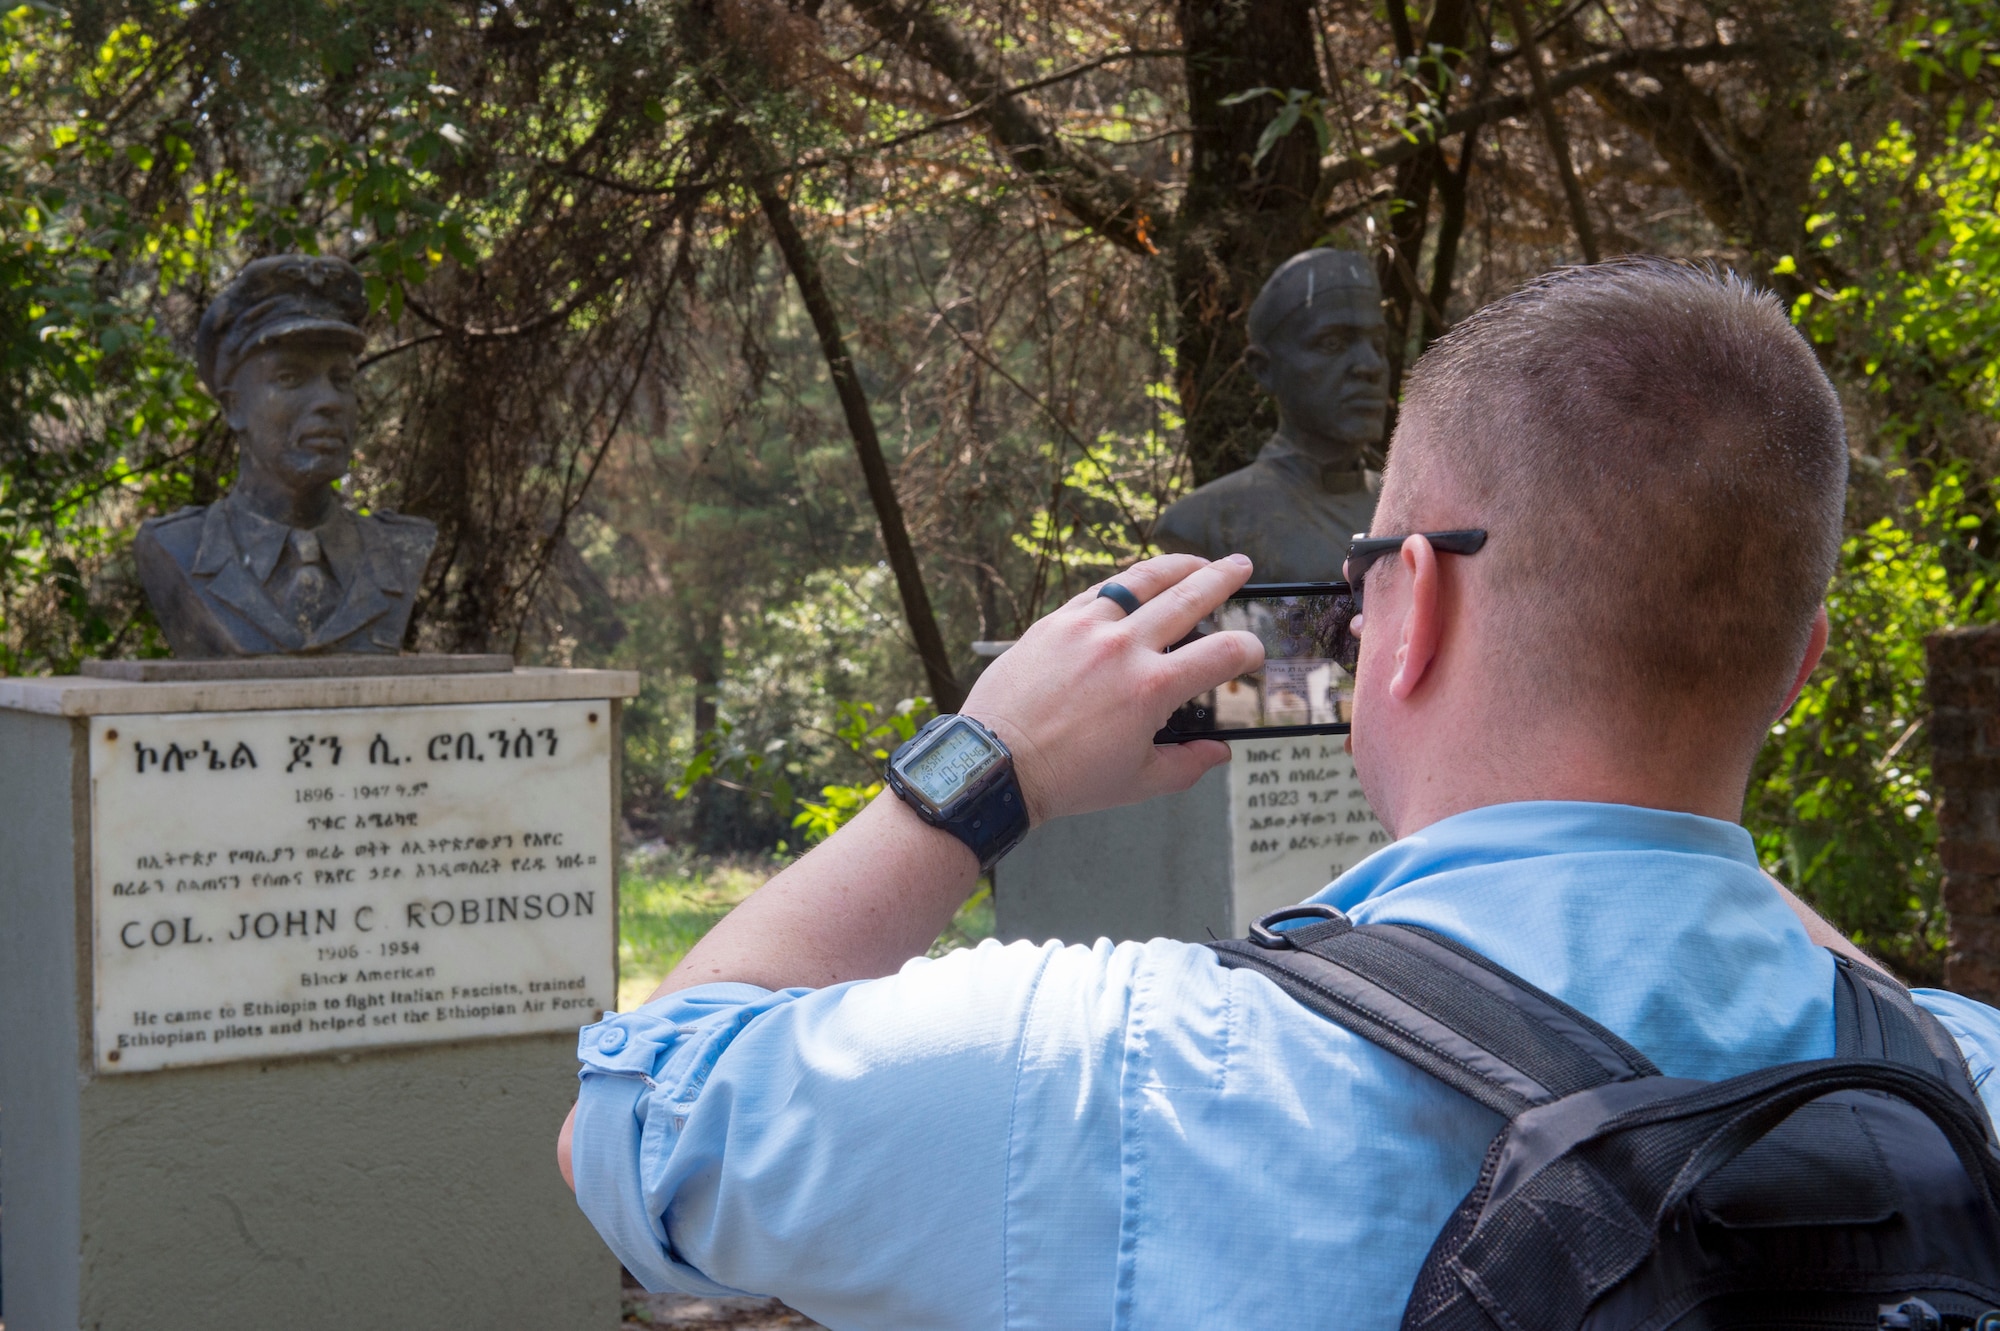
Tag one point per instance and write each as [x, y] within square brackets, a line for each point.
[1279, 822]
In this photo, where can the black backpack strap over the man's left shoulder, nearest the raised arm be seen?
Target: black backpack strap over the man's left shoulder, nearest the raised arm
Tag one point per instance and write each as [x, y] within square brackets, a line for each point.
[1451, 1012]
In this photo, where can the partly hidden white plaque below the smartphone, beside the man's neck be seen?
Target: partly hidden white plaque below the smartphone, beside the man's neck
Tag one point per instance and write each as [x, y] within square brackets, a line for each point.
[1299, 820]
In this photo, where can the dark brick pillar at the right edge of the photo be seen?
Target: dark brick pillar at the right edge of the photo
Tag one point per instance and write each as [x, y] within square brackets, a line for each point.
[1965, 766]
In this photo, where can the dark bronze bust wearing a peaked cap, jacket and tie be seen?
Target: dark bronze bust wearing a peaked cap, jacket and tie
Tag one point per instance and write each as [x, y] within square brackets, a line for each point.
[283, 567]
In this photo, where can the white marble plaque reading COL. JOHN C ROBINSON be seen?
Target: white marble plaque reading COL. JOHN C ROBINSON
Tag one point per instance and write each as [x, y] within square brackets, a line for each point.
[295, 882]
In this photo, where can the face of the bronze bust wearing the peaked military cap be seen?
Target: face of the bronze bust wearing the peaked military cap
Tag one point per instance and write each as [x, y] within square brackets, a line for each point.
[293, 413]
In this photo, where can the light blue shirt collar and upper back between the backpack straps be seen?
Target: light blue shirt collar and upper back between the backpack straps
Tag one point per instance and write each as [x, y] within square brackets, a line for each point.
[1657, 924]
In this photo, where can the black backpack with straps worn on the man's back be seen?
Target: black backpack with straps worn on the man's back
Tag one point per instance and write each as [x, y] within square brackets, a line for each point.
[1851, 1192]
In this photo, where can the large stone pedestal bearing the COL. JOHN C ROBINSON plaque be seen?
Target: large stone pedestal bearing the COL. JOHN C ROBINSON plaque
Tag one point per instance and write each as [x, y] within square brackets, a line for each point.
[289, 984]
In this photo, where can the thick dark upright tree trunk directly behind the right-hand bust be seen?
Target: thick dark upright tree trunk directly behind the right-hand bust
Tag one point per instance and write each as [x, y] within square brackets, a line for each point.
[1237, 221]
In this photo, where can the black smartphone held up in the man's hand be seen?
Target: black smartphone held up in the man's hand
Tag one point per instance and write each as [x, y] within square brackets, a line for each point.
[1307, 684]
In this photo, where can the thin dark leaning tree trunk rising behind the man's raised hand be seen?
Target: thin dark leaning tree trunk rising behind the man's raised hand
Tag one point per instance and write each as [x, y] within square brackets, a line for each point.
[805, 267]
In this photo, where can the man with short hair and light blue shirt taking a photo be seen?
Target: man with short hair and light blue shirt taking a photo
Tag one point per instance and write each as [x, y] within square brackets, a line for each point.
[1559, 728]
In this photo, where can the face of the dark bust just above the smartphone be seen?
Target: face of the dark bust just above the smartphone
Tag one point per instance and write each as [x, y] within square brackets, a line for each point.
[1329, 371]
